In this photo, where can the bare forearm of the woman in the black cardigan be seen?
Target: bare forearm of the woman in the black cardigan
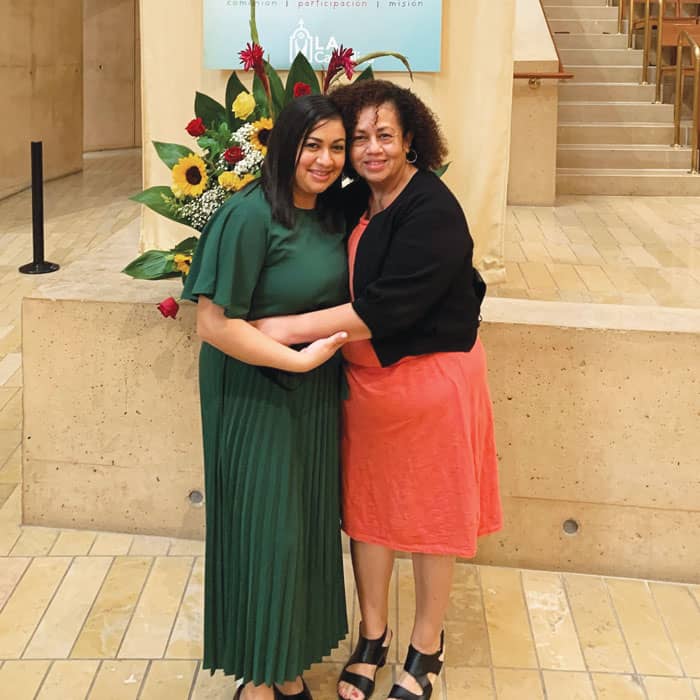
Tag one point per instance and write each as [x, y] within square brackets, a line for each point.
[304, 328]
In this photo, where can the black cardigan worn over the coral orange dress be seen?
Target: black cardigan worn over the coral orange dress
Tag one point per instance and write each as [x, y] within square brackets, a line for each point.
[414, 284]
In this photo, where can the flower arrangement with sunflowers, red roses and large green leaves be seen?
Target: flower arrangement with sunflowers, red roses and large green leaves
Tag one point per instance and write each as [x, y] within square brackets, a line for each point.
[232, 140]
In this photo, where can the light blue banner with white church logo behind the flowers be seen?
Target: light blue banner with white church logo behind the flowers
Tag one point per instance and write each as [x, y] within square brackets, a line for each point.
[316, 27]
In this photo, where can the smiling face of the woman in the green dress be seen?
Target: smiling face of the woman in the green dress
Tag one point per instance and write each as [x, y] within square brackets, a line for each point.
[320, 161]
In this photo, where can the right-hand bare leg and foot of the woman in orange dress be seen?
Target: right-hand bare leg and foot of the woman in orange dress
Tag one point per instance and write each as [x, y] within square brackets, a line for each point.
[432, 574]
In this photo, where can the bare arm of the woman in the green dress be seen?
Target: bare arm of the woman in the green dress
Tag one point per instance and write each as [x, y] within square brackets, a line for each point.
[241, 340]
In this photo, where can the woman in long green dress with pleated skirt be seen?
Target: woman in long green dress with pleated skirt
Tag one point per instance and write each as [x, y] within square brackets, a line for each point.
[274, 599]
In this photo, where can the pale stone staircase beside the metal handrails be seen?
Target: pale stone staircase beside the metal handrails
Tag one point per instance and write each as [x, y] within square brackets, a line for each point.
[612, 139]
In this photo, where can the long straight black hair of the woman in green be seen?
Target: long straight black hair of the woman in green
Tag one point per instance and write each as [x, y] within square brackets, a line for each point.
[291, 128]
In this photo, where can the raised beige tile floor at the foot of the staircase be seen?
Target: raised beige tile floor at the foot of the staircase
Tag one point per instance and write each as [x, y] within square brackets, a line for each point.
[610, 250]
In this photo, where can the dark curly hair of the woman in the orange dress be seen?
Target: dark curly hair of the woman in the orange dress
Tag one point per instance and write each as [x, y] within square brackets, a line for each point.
[414, 116]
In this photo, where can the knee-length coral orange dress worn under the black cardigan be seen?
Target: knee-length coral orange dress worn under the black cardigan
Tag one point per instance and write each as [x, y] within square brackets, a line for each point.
[420, 471]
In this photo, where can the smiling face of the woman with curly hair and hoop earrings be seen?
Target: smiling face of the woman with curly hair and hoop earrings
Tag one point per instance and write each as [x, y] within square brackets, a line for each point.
[379, 146]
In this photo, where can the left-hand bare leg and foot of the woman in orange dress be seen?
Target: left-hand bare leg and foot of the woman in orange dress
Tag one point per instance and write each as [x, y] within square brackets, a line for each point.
[372, 566]
